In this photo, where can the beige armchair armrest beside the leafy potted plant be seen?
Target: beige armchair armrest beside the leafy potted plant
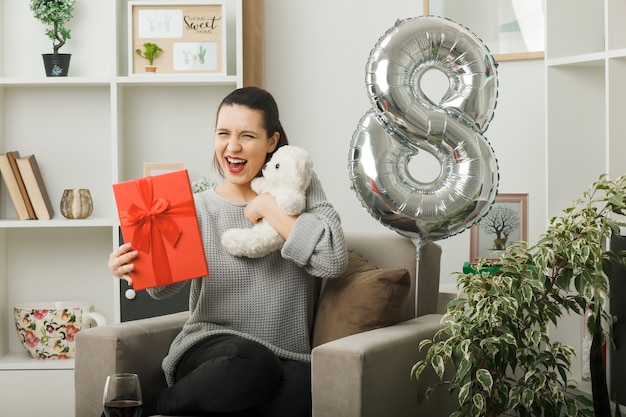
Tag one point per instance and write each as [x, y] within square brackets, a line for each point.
[369, 374]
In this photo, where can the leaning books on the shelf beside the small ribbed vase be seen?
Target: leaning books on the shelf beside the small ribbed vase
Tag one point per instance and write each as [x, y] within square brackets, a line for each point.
[26, 187]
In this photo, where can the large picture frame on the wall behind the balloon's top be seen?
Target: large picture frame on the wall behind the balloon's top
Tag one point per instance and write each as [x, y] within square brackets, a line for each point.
[512, 30]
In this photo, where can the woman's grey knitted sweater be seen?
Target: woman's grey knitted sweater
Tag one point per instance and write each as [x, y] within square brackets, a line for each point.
[272, 299]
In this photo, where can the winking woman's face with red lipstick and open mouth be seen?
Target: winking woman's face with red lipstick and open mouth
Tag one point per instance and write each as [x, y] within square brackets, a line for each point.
[241, 143]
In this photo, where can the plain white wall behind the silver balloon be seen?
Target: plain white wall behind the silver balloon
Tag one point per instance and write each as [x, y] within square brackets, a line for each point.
[316, 53]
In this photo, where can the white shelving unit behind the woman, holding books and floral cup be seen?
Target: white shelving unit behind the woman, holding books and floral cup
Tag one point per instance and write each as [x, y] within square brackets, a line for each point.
[95, 127]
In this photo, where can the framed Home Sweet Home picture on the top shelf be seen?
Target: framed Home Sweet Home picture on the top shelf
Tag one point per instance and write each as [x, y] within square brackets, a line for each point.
[191, 33]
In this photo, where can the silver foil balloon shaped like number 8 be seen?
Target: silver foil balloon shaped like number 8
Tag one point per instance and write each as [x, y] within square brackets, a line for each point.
[404, 121]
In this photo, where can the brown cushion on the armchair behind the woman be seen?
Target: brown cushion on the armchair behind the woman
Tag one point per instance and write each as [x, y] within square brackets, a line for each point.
[363, 298]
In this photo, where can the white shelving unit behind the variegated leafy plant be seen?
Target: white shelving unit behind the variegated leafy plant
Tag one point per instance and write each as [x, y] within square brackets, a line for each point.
[585, 73]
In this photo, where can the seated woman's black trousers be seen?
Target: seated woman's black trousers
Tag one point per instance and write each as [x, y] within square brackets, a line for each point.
[226, 375]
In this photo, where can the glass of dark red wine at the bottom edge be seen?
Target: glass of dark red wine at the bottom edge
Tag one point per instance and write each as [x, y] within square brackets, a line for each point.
[122, 396]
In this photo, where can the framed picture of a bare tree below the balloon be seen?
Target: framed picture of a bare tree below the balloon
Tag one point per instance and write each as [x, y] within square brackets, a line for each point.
[505, 223]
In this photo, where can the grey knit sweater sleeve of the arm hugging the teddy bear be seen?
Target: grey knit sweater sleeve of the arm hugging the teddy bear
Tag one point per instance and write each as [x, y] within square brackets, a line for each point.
[316, 242]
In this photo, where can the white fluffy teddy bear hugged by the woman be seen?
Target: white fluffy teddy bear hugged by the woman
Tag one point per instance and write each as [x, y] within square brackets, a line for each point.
[286, 176]
